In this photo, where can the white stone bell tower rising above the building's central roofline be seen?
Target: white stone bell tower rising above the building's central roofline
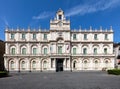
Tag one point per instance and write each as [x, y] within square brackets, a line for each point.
[59, 22]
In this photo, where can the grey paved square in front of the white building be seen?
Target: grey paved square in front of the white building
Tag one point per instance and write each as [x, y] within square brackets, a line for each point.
[61, 80]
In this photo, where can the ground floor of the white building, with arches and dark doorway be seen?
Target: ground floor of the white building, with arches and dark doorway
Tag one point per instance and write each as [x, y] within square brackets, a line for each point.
[57, 63]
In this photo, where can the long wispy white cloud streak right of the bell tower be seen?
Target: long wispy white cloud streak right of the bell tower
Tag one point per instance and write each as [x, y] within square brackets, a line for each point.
[93, 6]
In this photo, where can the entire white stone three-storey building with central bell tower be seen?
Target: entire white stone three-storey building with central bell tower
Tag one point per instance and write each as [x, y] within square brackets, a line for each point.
[59, 48]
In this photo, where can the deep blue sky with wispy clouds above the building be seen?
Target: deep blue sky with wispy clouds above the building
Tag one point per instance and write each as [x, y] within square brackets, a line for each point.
[84, 13]
